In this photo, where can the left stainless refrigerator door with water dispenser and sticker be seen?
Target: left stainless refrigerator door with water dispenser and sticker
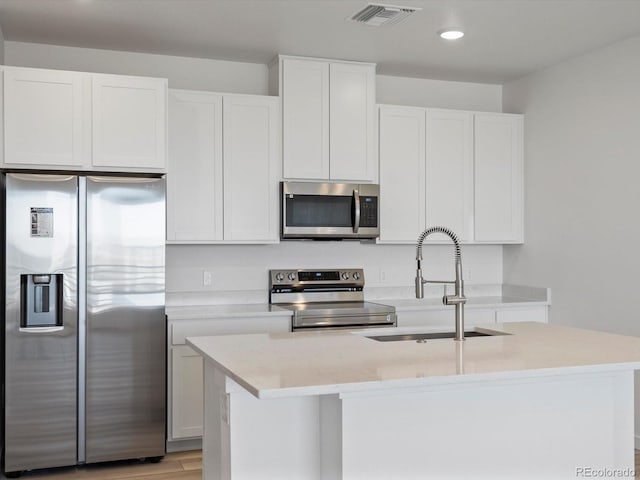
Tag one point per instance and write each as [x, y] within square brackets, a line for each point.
[40, 321]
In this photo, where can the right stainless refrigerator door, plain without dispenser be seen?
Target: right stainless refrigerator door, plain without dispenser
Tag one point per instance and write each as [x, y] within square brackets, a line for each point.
[125, 397]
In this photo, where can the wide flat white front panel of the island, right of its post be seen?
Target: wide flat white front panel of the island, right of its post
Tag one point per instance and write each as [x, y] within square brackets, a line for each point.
[553, 428]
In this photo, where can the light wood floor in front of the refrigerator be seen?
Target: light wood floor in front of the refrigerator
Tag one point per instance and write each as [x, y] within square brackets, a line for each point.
[174, 466]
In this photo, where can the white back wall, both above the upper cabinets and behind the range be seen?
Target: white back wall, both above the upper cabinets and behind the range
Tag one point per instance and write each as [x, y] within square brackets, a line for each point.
[242, 268]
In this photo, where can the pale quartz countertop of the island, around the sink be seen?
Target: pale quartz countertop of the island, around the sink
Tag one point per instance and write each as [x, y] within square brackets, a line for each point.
[316, 363]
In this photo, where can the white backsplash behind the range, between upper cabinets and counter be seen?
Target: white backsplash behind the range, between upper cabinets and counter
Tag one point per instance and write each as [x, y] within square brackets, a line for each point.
[239, 273]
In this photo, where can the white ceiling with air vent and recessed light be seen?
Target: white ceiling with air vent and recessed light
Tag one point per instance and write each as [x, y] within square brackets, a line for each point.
[504, 39]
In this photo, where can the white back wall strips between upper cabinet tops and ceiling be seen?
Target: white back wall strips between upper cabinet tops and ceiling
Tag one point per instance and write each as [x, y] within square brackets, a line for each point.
[238, 77]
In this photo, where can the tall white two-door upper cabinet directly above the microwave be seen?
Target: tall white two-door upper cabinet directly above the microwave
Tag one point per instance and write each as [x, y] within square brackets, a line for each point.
[328, 124]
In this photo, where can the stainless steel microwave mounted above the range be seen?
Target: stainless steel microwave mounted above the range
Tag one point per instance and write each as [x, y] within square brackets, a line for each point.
[329, 210]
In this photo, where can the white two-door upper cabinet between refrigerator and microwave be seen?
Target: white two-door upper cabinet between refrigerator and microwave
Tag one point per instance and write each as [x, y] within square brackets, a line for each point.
[224, 168]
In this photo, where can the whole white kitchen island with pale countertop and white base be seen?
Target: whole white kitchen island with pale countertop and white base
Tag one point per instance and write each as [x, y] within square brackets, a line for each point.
[531, 401]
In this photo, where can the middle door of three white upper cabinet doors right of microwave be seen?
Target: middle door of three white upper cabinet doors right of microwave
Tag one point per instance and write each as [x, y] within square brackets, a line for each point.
[449, 172]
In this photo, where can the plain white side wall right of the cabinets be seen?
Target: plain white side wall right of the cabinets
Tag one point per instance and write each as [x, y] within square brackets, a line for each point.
[582, 192]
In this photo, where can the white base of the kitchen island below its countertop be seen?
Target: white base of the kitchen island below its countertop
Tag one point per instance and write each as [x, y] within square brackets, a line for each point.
[551, 427]
